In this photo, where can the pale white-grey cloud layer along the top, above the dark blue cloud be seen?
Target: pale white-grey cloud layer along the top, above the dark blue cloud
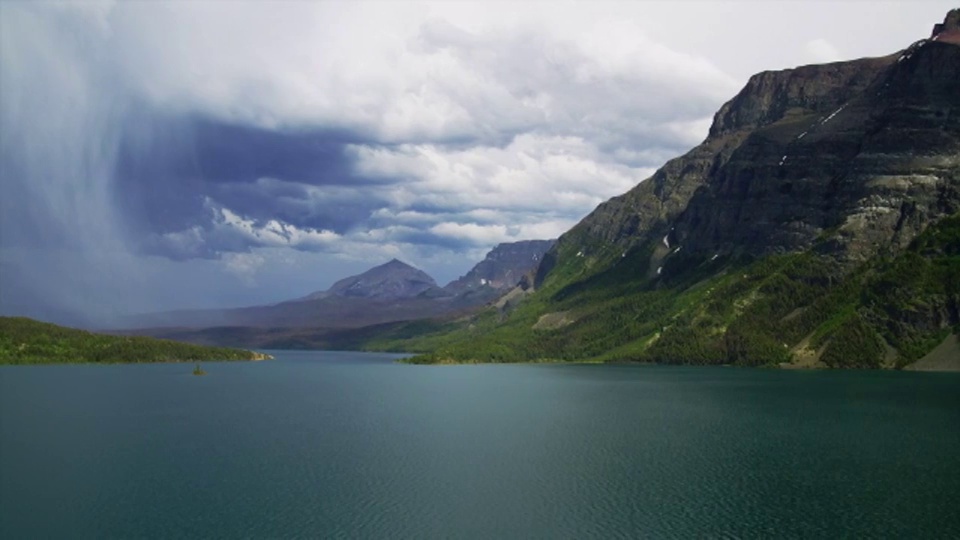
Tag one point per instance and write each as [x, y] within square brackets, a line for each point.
[406, 79]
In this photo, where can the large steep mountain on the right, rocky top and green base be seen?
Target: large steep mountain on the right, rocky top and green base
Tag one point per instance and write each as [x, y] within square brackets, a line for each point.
[817, 225]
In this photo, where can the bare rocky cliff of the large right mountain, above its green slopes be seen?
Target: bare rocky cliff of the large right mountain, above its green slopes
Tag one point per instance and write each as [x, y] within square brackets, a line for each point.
[862, 154]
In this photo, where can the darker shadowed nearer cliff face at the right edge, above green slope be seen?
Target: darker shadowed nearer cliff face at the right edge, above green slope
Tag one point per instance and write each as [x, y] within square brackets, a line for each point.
[866, 173]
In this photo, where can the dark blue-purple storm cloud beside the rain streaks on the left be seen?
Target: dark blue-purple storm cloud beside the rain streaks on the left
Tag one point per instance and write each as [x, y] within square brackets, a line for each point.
[169, 169]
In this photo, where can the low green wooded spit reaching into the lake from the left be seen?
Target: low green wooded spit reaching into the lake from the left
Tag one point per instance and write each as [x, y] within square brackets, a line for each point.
[27, 341]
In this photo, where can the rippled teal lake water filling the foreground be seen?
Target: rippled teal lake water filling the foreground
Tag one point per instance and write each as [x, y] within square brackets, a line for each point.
[324, 444]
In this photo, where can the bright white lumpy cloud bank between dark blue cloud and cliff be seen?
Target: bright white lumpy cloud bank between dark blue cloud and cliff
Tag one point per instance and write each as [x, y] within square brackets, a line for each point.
[539, 175]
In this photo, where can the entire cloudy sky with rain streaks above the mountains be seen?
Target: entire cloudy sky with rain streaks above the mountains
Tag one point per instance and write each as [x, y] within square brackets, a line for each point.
[164, 155]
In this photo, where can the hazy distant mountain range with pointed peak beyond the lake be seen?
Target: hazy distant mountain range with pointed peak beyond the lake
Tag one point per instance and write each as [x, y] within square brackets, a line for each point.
[393, 291]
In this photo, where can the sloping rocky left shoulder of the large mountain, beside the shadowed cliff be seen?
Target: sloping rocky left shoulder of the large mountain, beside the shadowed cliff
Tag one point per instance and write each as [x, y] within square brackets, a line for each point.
[792, 100]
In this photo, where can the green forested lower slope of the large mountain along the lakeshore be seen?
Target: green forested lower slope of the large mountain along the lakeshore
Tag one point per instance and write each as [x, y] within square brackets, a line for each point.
[888, 312]
